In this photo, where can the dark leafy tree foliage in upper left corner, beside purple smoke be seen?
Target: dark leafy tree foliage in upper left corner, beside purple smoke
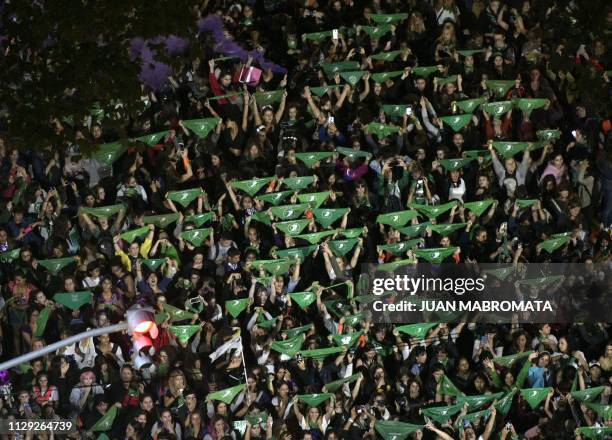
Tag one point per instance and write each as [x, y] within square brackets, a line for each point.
[64, 58]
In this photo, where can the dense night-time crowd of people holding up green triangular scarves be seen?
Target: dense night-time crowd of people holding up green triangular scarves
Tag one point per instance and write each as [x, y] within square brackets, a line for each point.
[251, 193]
